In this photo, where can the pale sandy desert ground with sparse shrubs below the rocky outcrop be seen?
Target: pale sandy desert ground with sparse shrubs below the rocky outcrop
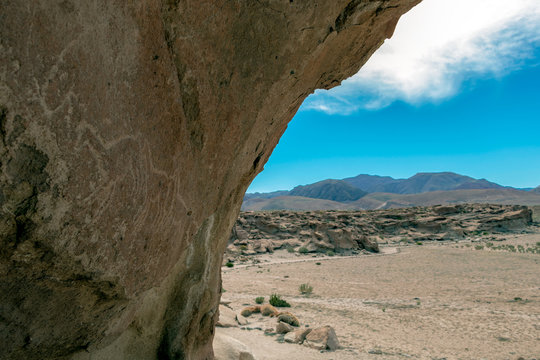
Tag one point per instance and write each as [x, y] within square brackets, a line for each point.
[435, 301]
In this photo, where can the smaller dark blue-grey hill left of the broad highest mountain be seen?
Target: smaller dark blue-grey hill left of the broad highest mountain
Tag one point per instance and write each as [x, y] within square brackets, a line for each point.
[335, 190]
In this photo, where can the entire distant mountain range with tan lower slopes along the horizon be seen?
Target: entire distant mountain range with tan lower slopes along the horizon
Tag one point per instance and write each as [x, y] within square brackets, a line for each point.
[382, 192]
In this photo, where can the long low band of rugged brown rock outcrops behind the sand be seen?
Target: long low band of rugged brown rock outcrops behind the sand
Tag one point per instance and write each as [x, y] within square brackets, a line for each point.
[322, 231]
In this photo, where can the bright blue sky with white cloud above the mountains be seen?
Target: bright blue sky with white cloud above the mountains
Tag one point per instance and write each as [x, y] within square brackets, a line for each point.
[455, 98]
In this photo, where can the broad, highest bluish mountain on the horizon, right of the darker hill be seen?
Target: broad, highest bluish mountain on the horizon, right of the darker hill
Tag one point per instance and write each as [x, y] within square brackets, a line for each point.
[419, 183]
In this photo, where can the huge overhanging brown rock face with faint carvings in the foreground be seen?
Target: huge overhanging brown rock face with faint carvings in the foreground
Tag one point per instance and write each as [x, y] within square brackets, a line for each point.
[129, 132]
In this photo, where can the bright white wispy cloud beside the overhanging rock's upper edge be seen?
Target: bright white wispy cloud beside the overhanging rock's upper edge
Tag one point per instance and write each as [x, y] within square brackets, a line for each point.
[436, 46]
